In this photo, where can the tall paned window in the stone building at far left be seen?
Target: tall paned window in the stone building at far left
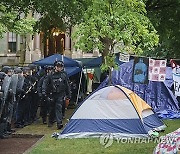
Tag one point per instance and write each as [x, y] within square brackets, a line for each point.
[12, 39]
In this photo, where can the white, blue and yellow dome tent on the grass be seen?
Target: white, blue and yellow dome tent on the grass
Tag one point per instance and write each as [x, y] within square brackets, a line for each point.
[114, 110]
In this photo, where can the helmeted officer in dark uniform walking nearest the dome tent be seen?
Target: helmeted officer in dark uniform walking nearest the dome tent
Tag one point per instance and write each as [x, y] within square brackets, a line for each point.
[60, 88]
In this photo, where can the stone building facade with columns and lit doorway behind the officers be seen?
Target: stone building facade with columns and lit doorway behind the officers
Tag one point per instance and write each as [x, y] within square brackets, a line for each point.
[23, 49]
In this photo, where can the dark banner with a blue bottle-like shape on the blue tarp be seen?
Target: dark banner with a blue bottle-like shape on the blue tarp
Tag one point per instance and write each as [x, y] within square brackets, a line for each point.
[140, 70]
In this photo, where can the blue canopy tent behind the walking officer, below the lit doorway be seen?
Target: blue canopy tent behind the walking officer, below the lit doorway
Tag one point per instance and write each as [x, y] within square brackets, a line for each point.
[71, 66]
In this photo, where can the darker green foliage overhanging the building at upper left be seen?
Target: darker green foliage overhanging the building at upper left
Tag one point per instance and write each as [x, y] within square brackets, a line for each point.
[52, 13]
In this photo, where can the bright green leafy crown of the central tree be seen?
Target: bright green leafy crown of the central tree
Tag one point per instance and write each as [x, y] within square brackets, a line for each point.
[108, 22]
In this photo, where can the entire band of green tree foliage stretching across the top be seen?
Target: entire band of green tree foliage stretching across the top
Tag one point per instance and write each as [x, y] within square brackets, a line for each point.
[102, 23]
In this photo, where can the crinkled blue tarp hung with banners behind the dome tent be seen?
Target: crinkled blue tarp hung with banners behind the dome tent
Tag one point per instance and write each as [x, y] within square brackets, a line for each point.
[157, 94]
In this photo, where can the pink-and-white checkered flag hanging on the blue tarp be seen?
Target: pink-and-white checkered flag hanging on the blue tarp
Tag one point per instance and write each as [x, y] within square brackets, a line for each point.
[157, 70]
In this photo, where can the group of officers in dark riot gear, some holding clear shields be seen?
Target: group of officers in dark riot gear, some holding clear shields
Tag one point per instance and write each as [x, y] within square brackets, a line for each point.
[23, 90]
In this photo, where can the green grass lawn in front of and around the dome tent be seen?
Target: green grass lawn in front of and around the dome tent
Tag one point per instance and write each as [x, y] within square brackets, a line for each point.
[50, 145]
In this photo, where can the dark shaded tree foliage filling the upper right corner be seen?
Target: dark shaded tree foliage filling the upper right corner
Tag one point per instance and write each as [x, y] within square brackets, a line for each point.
[164, 14]
